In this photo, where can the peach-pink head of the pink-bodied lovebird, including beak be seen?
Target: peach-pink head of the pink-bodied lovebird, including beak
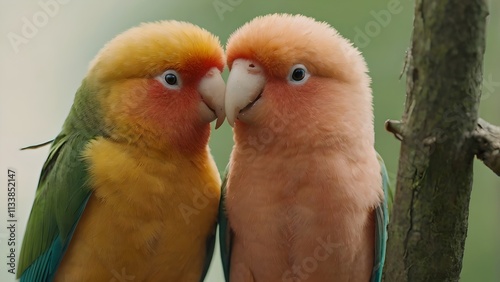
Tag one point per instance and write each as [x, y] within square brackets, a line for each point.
[298, 73]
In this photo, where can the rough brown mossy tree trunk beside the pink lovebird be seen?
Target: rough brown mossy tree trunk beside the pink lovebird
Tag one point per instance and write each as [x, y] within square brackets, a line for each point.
[429, 221]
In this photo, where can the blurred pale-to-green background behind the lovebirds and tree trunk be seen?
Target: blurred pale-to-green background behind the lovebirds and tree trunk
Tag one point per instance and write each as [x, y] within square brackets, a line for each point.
[39, 79]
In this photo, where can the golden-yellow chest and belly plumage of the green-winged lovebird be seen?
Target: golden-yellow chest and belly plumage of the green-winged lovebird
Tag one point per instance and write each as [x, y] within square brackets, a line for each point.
[148, 217]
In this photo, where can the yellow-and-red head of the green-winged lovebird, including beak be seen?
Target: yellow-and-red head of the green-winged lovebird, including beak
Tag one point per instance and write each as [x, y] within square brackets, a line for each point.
[160, 83]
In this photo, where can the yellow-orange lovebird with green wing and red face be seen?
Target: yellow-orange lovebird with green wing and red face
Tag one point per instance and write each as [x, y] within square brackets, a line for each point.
[130, 191]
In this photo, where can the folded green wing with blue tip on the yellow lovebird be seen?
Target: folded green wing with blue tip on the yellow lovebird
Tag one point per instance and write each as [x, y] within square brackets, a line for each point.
[60, 198]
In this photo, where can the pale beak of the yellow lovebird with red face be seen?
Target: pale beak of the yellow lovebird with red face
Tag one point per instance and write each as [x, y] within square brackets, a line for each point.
[211, 89]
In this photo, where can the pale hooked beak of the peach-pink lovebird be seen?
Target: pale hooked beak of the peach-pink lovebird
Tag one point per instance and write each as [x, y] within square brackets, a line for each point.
[244, 86]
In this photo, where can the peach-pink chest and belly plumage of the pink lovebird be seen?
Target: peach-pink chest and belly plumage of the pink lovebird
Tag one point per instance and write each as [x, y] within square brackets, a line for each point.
[305, 216]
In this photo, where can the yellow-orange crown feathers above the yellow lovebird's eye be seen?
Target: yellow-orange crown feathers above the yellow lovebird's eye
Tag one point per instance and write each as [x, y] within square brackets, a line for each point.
[151, 48]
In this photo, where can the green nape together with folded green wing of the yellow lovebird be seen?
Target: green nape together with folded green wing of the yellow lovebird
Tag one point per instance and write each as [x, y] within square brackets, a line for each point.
[62, 192]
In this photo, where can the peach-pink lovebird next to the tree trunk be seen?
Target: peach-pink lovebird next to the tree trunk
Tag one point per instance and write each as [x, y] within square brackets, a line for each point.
[306, 195]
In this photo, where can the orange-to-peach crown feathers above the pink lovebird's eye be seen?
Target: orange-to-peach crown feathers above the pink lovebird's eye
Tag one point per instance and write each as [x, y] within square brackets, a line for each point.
[279, 41]
